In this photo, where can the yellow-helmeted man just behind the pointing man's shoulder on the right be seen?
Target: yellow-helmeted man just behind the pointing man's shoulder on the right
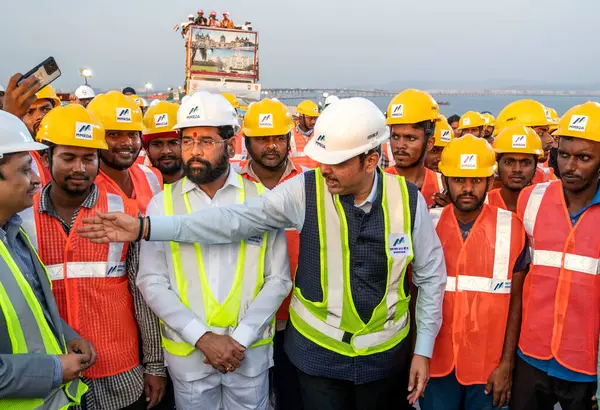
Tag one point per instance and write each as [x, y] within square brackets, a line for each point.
[412, 117]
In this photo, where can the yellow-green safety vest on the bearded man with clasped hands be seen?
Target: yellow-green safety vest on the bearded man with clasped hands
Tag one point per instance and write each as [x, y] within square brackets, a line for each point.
[249, 277]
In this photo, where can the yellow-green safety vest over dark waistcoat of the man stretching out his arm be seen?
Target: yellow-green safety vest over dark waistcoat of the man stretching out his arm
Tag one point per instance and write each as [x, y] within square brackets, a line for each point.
[327, 323]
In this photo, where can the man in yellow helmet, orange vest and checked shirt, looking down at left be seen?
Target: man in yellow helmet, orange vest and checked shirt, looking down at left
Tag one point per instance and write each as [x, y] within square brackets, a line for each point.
[94, 285]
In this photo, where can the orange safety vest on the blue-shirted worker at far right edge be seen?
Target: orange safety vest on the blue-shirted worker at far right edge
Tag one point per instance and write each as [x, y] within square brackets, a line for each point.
[561, 294]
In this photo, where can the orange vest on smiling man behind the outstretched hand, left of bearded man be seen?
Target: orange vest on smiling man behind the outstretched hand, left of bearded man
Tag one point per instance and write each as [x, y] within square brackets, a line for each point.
[147, 182]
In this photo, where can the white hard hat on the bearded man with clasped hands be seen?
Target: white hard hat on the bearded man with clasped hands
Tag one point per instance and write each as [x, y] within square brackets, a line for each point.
[204, 109]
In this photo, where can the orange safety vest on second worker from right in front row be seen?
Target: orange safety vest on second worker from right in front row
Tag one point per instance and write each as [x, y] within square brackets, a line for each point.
[477, 297]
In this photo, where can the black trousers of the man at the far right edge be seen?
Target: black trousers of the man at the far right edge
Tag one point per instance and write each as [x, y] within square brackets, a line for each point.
[533, 389]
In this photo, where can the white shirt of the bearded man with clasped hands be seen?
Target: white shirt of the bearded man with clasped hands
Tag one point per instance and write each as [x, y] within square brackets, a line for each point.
[156, 281]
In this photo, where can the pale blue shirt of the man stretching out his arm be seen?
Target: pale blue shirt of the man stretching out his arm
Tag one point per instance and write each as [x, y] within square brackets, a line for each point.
[285, 207]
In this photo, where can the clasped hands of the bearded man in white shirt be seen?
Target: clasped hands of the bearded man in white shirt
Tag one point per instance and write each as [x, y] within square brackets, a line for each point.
[221, 351]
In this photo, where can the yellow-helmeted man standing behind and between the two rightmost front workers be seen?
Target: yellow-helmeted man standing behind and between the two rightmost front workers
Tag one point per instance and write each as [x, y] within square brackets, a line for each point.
[518, 149]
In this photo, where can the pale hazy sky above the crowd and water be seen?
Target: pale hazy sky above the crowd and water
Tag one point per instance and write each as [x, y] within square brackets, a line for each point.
[392, 44]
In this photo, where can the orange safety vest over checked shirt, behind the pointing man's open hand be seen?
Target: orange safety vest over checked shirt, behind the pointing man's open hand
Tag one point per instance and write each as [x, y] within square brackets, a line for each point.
[90, 285]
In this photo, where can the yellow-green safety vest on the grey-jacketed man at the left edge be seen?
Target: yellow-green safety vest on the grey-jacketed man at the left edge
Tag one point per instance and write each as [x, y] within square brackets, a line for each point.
[29, 332]
